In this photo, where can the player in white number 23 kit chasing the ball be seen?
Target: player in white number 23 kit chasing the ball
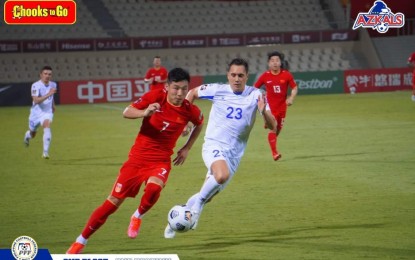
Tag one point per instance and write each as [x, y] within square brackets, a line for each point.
[231, 119]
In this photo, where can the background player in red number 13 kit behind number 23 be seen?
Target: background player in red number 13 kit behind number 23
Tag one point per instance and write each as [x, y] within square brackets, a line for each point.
[276, 81]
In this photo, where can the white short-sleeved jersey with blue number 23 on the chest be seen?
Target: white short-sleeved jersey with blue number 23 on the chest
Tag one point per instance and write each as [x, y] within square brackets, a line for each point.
[232, 116]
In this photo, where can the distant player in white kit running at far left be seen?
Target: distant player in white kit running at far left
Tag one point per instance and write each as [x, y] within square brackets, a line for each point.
[43, 107]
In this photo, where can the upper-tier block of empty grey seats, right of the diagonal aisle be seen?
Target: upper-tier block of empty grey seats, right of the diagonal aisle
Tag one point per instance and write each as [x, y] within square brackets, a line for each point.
[156, 18]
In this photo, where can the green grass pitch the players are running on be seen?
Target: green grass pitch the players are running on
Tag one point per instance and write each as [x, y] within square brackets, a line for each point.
[344, 189]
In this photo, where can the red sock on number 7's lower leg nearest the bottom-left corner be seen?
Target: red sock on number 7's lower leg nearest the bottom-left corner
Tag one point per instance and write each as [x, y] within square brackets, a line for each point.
[98, 218]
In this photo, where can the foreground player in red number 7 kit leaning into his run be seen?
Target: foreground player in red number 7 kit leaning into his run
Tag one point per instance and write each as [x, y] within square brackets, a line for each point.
[165, 113]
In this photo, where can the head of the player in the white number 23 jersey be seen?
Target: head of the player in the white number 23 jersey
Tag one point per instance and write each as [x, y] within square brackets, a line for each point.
[238, 74]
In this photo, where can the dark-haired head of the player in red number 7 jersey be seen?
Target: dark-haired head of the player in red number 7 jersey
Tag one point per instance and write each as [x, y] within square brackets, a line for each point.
[177, 86]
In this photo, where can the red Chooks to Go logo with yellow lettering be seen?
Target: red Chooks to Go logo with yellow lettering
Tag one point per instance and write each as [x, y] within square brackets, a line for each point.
[40, 12]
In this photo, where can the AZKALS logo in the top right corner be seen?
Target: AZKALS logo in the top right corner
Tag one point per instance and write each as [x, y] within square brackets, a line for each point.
[379, 18]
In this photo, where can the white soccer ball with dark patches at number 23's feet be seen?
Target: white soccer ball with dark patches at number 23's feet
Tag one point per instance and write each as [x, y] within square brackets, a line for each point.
[180, 218]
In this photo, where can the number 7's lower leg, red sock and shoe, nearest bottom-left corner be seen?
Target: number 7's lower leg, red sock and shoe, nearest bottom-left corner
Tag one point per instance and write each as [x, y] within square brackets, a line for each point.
[98, 217]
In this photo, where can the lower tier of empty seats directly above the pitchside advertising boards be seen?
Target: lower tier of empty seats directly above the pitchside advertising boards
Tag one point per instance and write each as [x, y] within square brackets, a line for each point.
[199, 61]
